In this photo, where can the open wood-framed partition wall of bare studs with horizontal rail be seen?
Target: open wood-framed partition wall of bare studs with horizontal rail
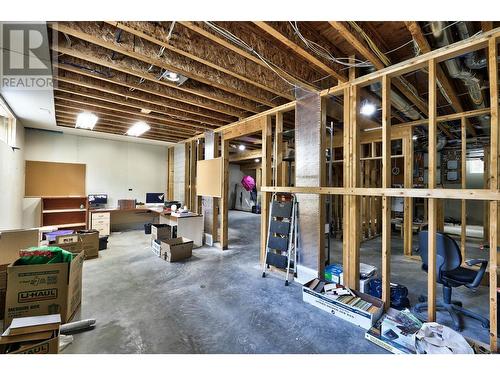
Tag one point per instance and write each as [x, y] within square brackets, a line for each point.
[428, 61]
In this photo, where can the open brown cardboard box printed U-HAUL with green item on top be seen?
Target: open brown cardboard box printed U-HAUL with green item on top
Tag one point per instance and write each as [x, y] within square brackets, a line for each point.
[44, 289]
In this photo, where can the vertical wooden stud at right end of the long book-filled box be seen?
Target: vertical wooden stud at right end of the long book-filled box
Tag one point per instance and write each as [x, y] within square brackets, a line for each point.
[386, 183]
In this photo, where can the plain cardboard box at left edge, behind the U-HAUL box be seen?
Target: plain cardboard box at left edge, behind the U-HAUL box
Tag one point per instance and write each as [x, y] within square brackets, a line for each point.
[11, 241]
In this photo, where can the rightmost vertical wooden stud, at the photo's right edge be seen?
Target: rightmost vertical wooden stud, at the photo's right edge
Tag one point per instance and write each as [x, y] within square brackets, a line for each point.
[494, 174]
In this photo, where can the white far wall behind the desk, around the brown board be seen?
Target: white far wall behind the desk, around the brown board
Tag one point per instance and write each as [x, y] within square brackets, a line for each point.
[113, 167]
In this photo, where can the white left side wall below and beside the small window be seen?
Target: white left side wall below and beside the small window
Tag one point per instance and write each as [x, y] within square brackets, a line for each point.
[12, 182]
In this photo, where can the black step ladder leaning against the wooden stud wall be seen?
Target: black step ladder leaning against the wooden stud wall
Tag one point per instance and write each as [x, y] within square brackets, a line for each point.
[281, 242]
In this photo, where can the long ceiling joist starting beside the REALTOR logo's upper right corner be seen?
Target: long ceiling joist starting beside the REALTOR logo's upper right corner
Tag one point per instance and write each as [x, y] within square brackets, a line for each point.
[103, 35]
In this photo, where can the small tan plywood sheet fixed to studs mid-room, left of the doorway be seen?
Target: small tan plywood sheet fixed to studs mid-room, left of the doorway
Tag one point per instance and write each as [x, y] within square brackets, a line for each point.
[209, 178]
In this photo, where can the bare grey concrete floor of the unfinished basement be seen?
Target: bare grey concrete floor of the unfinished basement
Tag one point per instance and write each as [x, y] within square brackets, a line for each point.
[217, 302]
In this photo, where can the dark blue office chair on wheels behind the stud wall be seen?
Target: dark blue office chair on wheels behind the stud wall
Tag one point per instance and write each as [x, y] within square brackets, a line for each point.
[451, 275]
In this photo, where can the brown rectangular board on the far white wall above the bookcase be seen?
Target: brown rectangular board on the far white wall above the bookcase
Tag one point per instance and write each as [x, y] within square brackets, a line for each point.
[45, 179]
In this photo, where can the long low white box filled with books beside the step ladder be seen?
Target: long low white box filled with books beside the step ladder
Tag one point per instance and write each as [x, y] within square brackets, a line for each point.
[349, 313]
